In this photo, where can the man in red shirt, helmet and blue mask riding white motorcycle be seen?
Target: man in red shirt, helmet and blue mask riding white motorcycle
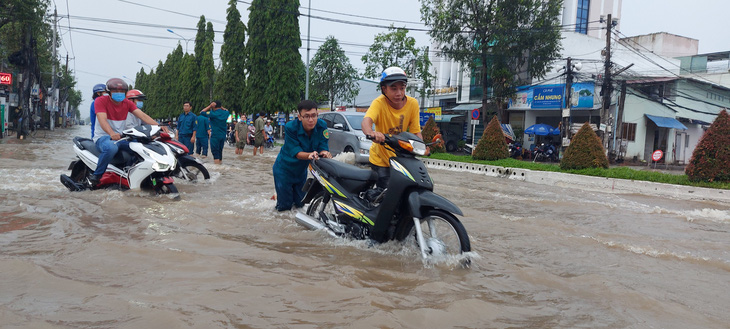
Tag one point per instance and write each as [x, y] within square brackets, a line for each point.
[113, 113]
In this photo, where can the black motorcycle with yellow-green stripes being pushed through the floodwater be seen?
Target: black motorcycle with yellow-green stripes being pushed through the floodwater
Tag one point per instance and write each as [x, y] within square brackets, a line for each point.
[343, 201]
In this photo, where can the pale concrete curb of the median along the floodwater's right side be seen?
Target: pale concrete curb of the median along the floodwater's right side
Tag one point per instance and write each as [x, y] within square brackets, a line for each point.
[600, 184]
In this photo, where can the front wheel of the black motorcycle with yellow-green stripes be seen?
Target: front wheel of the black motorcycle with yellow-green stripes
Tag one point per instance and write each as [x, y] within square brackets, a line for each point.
[443, 233]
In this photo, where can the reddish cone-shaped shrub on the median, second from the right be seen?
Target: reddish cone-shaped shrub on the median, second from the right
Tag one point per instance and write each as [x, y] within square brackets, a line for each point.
[585, 151]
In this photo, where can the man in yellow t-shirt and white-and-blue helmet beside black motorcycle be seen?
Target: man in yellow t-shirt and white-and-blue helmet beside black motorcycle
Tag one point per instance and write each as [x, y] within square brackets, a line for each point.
[392, 113]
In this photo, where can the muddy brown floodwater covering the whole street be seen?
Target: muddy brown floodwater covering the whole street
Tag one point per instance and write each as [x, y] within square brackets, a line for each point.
[221, 257]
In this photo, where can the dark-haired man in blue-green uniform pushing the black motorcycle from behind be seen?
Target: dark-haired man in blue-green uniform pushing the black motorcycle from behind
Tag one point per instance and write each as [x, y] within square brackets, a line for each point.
[306, 138]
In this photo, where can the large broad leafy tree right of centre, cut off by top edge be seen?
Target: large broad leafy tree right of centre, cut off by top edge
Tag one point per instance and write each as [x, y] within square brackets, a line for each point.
[496, 39]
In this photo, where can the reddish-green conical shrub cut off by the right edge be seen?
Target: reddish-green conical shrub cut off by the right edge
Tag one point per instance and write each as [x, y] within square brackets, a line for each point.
[710, 160]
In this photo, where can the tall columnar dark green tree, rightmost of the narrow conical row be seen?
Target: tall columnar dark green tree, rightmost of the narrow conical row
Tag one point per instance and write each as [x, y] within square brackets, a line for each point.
[283, 58]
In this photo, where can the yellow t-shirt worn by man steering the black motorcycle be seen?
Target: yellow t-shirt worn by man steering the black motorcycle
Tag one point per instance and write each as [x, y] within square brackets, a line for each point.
[391, 121]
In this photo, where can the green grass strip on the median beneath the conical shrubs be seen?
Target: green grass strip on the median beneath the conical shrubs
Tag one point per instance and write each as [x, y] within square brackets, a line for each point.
[614, 172]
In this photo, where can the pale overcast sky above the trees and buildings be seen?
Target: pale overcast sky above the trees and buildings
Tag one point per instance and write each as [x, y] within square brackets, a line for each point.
[100, 49]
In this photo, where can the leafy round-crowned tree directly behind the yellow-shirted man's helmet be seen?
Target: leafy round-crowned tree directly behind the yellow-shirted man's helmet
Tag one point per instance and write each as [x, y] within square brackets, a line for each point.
[397, 48]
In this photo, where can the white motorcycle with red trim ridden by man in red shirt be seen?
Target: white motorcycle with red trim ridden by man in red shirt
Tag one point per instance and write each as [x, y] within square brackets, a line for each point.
[149, 165]
